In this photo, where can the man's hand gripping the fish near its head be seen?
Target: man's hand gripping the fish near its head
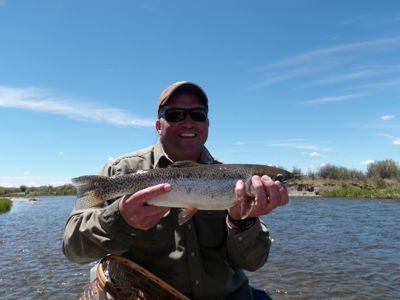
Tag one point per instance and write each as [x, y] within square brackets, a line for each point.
[268, 194]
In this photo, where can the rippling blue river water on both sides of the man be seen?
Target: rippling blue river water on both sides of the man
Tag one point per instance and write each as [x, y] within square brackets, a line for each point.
[322, 249]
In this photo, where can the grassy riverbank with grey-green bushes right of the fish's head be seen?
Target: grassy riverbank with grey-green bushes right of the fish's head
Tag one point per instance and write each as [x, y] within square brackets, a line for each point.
[382, 180]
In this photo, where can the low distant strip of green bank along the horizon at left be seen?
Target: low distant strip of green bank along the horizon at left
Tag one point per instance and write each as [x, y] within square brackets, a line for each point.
[48, 190]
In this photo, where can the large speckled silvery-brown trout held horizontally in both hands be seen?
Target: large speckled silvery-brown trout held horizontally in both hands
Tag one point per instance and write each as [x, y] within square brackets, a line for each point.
[194, 186]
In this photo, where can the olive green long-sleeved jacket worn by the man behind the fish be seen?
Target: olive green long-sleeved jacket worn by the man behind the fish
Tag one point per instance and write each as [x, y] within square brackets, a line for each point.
[203, 258]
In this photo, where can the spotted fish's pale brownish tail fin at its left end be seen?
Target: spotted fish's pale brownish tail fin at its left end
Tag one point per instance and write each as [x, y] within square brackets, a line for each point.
[89, 193]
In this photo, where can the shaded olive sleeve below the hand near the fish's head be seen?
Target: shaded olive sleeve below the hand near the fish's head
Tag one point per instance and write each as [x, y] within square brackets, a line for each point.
[248, 249]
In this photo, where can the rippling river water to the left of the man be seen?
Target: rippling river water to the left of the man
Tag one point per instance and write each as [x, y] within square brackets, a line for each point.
[32, 265]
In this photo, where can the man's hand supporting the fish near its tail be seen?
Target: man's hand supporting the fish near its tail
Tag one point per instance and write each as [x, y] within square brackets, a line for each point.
[137, 213]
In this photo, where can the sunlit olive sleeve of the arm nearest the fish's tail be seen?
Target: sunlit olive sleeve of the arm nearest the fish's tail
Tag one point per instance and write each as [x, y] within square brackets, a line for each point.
[93, 233]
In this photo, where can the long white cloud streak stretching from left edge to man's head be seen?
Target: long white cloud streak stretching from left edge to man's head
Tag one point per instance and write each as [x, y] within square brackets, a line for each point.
[43, 100]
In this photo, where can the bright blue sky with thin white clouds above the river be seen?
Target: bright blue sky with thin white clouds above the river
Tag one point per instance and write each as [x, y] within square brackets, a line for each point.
[297, 84]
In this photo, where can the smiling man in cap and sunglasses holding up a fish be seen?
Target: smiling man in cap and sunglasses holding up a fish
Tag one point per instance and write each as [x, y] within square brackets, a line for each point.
[204, 257]
